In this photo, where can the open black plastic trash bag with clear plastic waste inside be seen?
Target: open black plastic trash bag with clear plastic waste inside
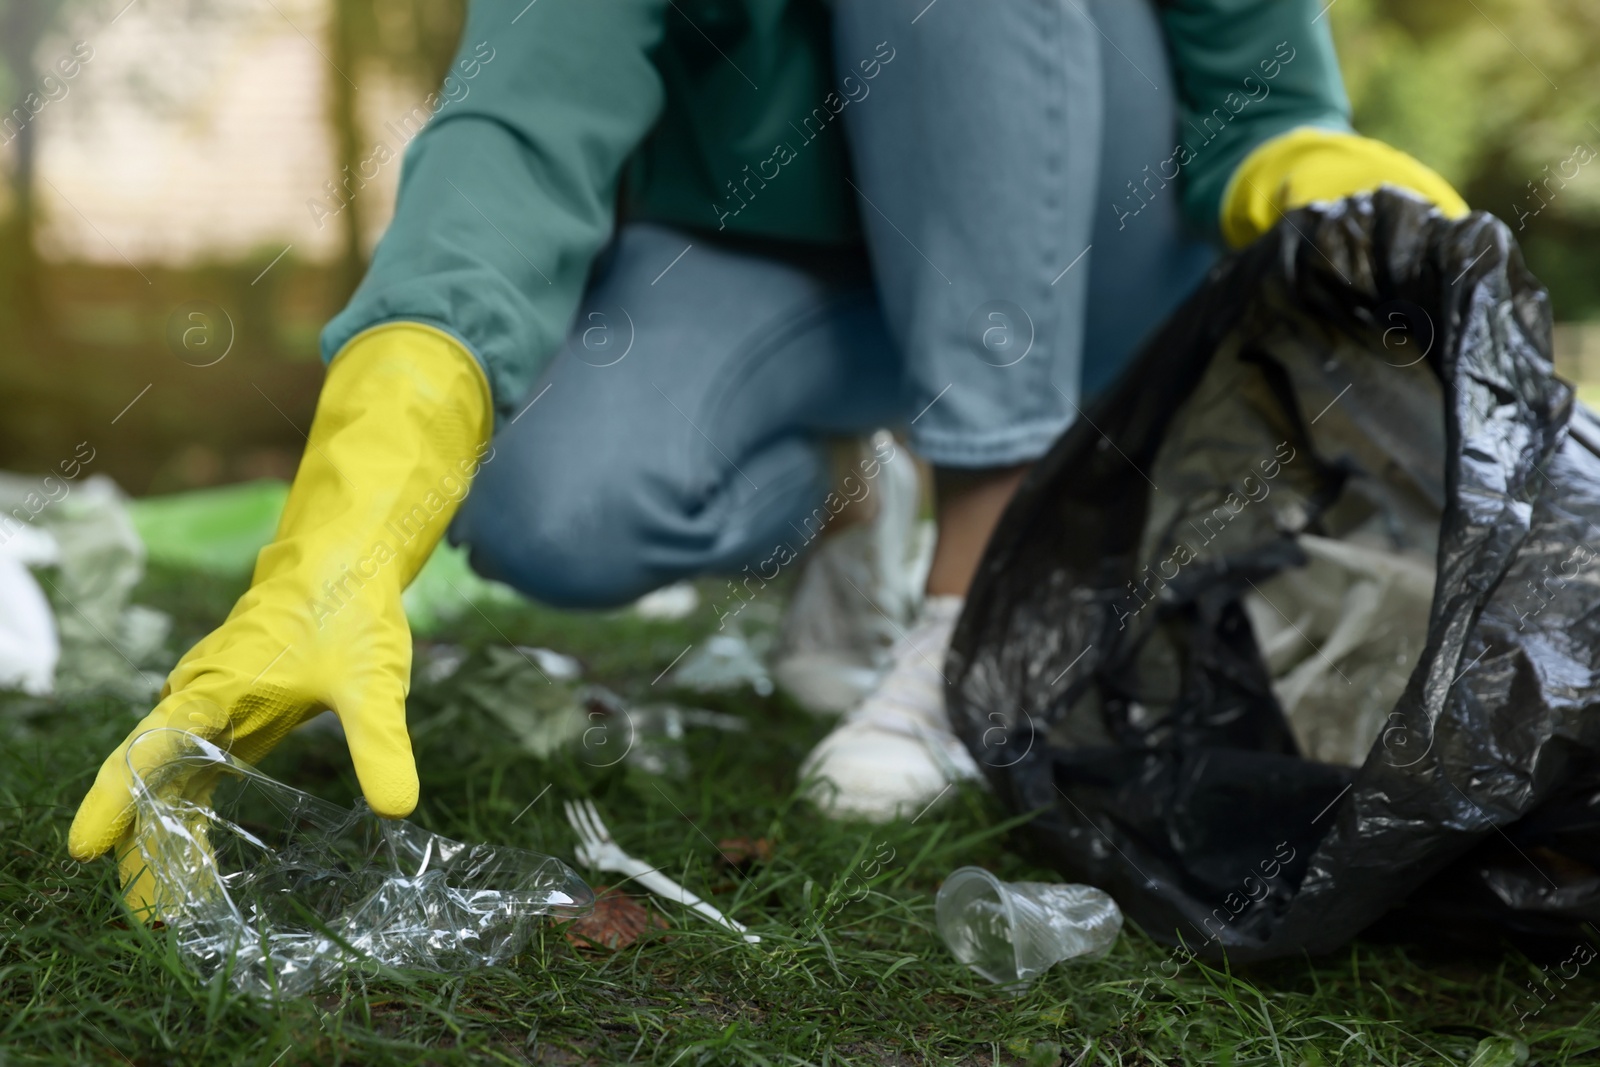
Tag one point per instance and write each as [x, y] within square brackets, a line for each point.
[1369, 383]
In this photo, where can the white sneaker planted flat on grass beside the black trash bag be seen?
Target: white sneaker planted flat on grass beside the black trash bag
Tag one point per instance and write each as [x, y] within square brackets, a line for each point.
[897, 754]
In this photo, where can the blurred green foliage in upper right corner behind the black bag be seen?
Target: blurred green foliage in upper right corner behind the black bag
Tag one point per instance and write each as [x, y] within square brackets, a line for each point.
[1500, 98]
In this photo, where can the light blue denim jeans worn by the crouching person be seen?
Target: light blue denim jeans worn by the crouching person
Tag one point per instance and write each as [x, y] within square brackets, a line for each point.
[682, 428]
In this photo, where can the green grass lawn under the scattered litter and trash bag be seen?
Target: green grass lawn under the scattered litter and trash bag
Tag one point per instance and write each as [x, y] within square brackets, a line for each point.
[850, 970]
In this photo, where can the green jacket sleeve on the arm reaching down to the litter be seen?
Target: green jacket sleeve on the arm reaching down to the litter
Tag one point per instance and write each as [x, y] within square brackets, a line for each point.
[508, 194]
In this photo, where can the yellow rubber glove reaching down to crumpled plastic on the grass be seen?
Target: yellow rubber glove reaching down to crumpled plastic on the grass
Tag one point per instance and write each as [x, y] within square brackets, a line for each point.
[402, 425]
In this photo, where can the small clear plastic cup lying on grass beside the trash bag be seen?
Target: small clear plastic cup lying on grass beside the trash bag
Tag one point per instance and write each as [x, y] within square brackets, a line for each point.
[1014, 932]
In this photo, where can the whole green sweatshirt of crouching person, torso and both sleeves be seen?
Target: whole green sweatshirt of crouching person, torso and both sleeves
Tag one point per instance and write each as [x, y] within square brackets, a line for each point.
[713, 116]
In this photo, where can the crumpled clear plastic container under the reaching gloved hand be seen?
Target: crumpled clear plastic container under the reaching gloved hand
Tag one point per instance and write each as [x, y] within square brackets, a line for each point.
[282, 890]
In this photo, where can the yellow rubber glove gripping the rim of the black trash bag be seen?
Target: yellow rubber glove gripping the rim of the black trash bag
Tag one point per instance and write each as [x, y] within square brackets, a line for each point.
[1305, 166]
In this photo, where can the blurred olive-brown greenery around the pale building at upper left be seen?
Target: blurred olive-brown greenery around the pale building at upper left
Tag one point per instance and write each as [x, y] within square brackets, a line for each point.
[87, 353]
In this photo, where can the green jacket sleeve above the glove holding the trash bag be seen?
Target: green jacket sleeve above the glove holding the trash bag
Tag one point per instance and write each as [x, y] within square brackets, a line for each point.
[1247, 71]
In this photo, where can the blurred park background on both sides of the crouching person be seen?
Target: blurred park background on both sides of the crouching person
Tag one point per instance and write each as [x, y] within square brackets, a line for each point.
[177, 198]
